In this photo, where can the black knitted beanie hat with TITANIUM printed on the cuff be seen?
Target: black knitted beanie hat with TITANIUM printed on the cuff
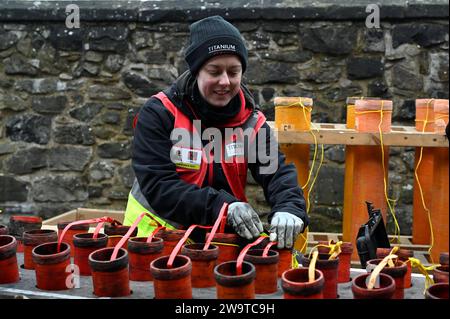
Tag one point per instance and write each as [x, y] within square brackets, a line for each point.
[213, 36]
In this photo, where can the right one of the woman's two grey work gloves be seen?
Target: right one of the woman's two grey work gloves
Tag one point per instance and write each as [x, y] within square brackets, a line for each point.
[284, 228]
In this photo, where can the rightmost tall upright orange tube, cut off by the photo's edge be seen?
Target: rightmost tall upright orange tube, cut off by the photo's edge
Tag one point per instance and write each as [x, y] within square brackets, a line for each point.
[439, 204]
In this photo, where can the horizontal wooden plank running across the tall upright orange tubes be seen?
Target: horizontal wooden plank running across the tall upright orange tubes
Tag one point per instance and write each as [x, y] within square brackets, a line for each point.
[330, 133]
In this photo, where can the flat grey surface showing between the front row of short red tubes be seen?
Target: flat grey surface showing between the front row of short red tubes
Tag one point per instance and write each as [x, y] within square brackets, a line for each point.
[25, 288]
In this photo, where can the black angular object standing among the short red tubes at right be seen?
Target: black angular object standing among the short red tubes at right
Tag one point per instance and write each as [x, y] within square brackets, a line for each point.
[371, 235]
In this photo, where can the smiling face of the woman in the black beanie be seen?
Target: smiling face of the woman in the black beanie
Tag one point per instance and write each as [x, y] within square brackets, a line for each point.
[219, 79]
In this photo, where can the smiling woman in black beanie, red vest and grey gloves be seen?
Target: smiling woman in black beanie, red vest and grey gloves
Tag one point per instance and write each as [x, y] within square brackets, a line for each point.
[187, 165]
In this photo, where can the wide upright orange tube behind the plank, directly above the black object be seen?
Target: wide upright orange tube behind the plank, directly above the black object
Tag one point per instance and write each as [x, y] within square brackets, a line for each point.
[367, 179]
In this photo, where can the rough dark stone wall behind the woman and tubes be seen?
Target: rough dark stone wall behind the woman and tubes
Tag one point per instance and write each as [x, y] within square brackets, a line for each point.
[68, 96]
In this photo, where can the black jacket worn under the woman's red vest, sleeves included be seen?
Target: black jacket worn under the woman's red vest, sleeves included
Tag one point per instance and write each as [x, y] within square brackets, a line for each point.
[185, 203]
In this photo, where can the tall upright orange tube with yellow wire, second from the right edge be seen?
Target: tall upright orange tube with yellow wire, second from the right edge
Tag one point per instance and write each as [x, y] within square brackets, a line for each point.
[421, 225]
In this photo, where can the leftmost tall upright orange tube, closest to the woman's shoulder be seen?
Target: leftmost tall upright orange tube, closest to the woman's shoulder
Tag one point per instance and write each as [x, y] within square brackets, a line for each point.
[291, 116]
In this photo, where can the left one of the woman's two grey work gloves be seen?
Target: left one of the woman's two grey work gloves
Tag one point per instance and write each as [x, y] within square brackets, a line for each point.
[244, 220]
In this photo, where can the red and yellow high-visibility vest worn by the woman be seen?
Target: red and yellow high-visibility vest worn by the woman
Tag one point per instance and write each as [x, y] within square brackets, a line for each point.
[234, 168]
